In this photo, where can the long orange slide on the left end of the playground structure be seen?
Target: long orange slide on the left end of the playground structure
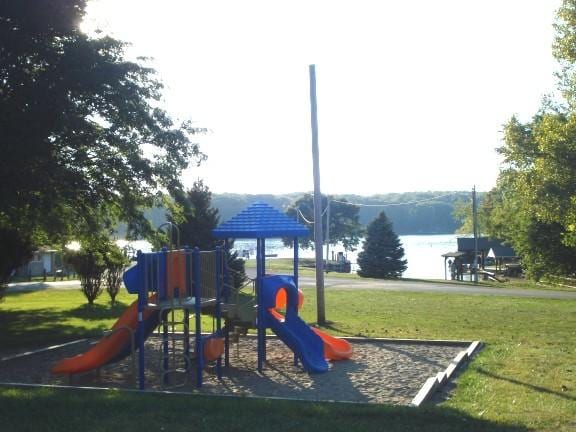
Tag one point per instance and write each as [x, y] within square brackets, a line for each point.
[109, 348]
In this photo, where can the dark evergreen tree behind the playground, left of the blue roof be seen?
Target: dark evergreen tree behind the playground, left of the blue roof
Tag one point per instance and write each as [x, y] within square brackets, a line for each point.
[196, 218]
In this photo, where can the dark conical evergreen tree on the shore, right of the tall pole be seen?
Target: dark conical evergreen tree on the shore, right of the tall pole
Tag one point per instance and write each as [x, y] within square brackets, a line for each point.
[382, 254]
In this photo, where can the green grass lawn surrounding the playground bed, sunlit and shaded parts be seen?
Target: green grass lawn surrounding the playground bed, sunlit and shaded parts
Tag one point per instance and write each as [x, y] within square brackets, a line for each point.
[524, 379]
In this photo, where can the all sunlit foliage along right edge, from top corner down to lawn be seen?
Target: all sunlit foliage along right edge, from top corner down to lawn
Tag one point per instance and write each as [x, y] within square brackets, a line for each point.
[533, 206]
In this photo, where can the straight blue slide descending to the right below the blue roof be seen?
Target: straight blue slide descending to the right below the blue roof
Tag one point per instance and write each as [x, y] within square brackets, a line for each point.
[300, 338]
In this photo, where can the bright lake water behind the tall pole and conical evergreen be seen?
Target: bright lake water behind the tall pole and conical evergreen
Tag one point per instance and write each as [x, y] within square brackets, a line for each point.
[423, 252]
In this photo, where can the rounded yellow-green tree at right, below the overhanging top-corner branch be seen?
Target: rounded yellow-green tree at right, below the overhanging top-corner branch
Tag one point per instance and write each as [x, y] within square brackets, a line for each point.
[526, 206]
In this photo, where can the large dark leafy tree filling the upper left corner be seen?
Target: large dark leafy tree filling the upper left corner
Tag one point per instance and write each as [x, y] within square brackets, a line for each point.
[83, 124]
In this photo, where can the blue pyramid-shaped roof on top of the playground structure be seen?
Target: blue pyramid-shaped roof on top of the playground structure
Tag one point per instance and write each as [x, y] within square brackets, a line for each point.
[260, 220]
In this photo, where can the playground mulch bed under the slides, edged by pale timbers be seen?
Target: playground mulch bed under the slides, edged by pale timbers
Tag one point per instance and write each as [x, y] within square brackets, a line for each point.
[381, 371]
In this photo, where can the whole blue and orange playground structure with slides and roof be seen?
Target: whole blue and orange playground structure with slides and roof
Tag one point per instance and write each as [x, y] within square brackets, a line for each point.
[173, 286]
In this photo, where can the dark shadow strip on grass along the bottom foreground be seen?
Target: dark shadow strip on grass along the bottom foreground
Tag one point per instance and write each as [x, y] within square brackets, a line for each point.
[141, 411]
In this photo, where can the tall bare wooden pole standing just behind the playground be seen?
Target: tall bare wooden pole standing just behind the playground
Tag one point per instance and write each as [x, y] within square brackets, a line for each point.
[321, 314]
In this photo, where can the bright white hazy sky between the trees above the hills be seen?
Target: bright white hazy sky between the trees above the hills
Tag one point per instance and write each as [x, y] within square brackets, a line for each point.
[412, 95]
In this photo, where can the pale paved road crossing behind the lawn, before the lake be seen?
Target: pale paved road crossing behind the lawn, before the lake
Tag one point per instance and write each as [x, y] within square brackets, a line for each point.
[342, 283]
